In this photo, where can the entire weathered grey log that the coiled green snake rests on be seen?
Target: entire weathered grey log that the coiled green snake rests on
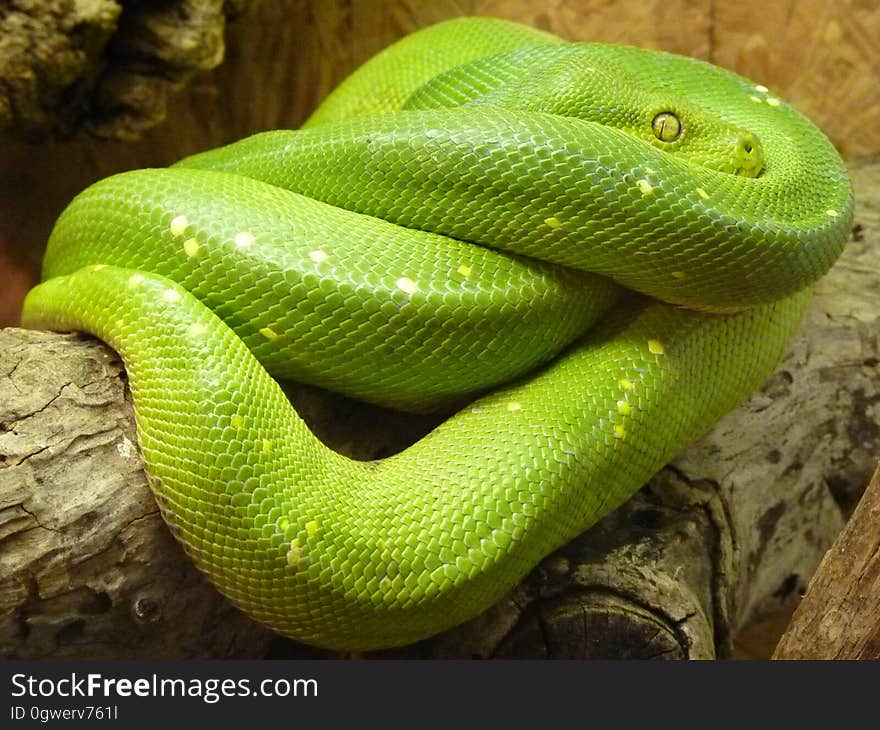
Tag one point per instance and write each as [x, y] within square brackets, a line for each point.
[729, 532]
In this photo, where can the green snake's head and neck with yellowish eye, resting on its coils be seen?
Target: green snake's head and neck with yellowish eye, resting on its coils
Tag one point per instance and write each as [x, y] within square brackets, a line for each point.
[585, 81]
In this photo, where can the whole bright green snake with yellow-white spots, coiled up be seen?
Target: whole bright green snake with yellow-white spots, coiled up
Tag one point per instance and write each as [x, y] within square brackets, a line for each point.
[597, 249]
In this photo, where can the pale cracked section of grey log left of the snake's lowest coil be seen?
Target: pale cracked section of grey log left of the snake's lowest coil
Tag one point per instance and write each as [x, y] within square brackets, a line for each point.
[87, 567]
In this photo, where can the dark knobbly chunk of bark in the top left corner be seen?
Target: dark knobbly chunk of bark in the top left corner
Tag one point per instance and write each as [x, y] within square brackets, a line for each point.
[102, 65]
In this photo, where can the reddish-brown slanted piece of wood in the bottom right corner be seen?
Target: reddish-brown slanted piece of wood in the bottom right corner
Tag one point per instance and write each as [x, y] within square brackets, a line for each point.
[839, 617]
